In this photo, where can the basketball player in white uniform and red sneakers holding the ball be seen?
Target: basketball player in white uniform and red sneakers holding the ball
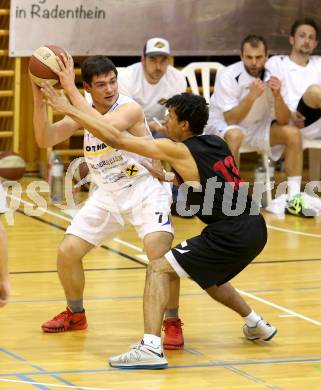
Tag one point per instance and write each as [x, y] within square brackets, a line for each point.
[127, 193]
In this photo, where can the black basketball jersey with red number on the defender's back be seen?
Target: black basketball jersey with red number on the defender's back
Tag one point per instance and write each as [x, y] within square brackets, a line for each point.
[222, 193]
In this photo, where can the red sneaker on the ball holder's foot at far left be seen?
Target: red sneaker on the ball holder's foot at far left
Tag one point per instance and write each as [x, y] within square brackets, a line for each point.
[67, 320]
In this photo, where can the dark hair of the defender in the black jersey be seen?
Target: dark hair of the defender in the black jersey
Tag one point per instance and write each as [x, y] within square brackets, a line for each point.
[190, 108]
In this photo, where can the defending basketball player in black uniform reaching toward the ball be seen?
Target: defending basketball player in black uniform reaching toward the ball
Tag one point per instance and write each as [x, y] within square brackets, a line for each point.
[235, 233]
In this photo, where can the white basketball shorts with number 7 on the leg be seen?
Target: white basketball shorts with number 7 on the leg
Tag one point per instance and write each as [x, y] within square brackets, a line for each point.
[145, 204]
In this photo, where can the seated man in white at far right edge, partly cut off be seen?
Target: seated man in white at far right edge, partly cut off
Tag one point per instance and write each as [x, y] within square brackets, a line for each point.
[300, 74]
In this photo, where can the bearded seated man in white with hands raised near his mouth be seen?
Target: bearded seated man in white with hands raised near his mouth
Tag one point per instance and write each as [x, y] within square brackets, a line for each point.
[246, 109]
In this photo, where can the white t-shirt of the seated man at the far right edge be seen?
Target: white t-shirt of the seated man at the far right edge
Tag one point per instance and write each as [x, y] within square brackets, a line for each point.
[295, 78]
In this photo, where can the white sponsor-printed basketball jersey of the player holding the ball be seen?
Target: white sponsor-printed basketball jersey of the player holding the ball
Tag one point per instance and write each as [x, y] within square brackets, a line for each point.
[111, 167]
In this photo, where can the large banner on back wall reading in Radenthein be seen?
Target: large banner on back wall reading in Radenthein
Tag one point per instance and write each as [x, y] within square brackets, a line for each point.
[121, 27]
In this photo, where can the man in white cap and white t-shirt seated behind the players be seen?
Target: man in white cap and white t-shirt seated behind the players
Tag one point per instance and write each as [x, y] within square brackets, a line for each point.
[152, 81]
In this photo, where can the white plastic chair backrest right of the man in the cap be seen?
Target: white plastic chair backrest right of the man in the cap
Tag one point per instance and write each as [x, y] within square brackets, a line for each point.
[190, 71]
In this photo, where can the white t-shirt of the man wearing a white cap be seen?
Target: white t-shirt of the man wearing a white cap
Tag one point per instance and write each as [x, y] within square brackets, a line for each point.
[132, 83]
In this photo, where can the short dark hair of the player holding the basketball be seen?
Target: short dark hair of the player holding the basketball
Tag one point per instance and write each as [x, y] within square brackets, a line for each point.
[95, 66]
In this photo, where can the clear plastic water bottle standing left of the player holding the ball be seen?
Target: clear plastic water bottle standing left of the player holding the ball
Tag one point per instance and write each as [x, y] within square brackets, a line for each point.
[56, 178]
